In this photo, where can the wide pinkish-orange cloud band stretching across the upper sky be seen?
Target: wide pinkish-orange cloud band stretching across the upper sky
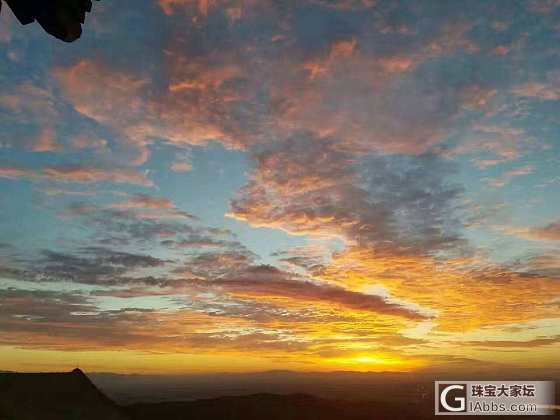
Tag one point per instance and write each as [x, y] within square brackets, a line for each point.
[209, 95]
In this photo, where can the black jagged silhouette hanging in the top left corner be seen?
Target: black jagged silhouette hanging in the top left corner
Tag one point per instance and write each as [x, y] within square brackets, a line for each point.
[60, 18]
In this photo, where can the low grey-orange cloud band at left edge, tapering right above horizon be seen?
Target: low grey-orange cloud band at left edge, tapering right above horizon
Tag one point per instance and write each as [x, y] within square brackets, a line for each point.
[69, 321]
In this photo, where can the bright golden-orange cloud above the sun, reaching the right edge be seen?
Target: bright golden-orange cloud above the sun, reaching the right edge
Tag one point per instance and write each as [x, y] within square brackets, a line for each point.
[452, 291]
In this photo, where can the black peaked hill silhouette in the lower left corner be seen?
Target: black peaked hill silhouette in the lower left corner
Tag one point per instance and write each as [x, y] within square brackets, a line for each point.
[54, 396]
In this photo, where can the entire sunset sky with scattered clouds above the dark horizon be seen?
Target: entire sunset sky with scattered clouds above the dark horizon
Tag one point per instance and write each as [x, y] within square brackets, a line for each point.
[316, 185]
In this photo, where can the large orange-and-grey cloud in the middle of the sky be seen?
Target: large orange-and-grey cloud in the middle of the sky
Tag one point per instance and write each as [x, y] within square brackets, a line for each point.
[307, 186]
